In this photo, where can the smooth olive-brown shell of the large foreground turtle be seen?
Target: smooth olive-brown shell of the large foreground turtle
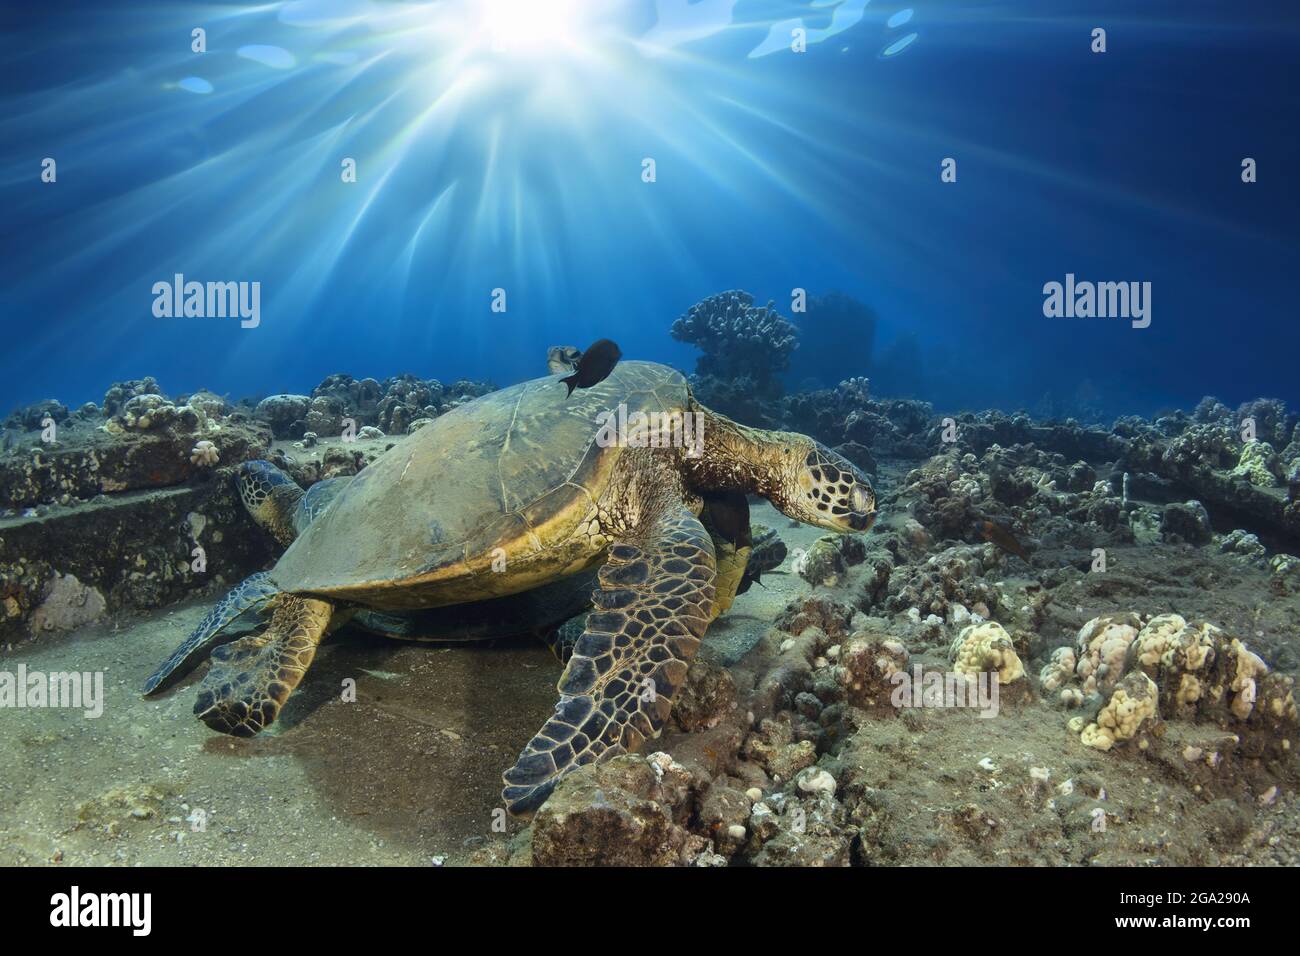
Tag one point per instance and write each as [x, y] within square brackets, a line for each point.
[513, 474]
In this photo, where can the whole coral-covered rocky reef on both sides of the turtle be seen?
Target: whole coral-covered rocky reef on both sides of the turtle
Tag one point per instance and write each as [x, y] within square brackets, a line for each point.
[1138, 605]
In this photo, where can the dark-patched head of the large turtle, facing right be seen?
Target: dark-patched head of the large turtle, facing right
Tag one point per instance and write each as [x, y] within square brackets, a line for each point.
[821, 487]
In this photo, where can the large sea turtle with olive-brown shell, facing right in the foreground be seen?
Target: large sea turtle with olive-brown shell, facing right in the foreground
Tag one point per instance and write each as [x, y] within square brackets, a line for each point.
[515, 491]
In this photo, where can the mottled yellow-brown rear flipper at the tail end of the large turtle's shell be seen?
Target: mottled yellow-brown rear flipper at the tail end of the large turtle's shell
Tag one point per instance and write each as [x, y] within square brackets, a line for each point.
[252, 678]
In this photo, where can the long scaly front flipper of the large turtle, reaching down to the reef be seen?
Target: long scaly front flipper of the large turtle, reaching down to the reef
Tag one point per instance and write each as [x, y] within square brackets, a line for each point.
[653, 607]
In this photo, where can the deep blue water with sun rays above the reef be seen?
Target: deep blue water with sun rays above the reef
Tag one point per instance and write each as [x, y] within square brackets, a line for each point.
[508, 154]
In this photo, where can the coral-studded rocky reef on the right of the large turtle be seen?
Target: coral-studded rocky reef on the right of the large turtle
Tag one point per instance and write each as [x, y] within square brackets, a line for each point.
[1136, 611]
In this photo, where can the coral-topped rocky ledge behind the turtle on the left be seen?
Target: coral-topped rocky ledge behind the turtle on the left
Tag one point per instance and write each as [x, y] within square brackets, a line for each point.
[150, 479]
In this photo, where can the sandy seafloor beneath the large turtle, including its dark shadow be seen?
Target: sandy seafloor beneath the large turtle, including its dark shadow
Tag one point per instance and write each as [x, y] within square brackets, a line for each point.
[408, 773]
